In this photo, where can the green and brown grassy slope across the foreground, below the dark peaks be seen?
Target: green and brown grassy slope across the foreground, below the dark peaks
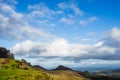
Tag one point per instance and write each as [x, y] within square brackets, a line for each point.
[10, 71]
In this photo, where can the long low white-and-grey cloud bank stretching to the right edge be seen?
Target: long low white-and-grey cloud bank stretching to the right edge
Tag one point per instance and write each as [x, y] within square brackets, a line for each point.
[60, 47]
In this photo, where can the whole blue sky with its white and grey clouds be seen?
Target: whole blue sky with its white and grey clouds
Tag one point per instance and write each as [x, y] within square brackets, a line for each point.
[74, 33]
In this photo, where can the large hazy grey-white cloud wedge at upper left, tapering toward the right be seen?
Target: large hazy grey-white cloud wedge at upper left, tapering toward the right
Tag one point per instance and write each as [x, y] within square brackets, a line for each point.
[14, 25]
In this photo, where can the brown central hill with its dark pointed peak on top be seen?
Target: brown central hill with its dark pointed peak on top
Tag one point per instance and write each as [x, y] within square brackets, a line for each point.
[64, 73]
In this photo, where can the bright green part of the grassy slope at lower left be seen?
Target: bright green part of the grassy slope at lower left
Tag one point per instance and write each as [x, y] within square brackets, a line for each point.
[10, 72]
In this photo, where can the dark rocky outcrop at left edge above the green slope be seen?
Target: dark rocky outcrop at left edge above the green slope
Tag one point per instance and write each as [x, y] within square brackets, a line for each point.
[4, 53]
